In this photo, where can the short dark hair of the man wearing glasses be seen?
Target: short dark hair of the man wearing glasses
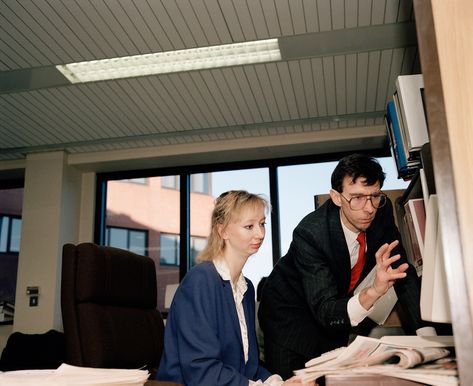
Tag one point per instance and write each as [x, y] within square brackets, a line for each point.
[356, 166]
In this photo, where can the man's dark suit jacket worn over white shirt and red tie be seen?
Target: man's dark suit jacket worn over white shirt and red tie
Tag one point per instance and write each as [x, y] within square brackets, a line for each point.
[304, 301]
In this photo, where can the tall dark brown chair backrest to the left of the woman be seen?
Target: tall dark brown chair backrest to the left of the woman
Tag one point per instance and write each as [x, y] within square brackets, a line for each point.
[108, 300]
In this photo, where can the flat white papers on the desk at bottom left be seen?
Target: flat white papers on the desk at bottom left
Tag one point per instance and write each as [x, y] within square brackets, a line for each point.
[74, 376]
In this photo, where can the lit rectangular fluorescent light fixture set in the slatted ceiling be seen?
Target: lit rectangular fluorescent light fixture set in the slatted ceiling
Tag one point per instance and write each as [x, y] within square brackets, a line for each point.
[173, 61]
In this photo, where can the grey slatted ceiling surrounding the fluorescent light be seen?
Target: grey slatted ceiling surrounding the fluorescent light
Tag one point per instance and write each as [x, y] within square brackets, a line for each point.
[340, 59]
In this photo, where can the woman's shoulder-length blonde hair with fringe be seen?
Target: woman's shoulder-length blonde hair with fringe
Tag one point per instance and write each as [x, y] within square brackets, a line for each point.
[227, 206]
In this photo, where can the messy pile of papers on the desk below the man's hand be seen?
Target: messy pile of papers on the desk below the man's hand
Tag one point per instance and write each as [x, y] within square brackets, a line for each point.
[419, 358]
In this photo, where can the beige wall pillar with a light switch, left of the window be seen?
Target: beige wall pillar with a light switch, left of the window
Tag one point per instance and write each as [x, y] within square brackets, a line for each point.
[51, 215]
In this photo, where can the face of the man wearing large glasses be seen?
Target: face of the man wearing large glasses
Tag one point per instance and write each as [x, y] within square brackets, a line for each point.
[355, 220]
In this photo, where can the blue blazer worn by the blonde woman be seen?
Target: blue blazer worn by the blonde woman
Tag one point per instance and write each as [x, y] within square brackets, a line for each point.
[202, 339]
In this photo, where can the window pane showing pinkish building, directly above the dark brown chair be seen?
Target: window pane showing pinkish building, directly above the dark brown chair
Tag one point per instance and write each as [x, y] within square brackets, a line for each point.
[154, 210]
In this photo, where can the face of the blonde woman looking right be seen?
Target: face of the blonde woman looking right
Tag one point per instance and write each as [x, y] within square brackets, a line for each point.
[244, 235]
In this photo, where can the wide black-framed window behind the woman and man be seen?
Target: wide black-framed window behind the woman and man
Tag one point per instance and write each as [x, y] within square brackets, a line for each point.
[188, 194]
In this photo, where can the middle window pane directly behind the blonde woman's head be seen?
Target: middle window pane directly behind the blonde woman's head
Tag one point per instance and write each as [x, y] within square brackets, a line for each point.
[252, 180]
